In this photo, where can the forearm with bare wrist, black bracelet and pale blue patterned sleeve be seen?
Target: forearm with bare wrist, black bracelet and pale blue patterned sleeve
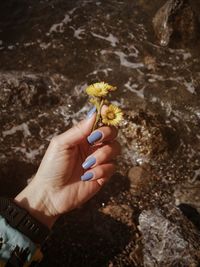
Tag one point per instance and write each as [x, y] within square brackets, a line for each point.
[24, 225]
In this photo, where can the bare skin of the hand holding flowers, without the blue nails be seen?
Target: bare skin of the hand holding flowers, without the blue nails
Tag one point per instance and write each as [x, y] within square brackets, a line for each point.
[57, 187]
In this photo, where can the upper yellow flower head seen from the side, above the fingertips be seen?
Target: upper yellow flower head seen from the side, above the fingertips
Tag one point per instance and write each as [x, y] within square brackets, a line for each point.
[99, 89]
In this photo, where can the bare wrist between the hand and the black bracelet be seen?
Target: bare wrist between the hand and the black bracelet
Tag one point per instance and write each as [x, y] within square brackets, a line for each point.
[34, 199]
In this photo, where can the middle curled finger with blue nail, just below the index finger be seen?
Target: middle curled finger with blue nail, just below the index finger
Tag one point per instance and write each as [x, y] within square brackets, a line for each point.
[102, 155]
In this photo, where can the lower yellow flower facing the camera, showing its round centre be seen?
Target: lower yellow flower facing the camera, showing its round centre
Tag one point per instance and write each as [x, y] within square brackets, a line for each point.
[112, 116]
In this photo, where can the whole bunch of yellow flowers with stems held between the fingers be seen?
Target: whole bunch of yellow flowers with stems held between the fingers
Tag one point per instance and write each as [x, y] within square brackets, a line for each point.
[98, 92]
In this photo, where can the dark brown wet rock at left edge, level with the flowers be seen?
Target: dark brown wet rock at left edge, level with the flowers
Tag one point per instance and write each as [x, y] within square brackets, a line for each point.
[23, 90]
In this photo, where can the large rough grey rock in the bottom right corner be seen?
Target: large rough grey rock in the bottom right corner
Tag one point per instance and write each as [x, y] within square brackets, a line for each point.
[165, 242]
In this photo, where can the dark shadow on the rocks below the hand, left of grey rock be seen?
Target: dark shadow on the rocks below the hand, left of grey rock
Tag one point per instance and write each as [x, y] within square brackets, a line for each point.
[86, 236]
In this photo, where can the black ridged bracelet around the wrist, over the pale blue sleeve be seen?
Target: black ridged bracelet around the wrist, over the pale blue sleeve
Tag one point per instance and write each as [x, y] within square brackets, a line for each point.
[20, 219]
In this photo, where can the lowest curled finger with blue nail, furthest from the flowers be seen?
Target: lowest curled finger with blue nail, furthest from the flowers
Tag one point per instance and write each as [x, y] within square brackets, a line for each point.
[104, 171]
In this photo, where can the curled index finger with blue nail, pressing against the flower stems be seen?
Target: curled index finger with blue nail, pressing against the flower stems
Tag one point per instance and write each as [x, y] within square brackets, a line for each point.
[102, 134]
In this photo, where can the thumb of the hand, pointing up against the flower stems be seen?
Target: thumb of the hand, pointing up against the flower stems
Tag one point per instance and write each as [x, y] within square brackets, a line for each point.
[80, 131]
